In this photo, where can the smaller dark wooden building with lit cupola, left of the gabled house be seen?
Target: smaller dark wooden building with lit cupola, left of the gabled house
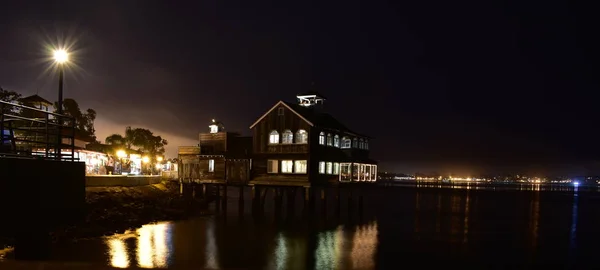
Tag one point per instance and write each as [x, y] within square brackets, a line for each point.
[220, 157]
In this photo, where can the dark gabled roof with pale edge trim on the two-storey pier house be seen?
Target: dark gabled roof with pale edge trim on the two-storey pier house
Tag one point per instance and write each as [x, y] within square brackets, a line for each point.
[312, 117]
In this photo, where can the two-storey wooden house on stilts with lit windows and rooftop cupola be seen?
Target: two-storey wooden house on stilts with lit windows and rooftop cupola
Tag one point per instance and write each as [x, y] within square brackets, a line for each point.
[300, 144]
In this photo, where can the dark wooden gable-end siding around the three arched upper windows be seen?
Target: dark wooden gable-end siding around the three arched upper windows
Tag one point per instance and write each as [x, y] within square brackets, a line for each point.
[274, 121]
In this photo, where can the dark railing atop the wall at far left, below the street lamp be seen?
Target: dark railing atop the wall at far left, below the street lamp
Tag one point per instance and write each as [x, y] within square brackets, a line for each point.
[27, 132]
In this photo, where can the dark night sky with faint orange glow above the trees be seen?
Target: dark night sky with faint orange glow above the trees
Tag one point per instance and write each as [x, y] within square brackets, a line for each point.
[446, 86]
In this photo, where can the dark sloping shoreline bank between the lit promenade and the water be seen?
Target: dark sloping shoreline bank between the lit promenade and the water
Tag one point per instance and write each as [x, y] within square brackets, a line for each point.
[113, 210]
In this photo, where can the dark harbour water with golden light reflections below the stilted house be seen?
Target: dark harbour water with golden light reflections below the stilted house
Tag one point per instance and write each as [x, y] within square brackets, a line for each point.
[400, 227]
